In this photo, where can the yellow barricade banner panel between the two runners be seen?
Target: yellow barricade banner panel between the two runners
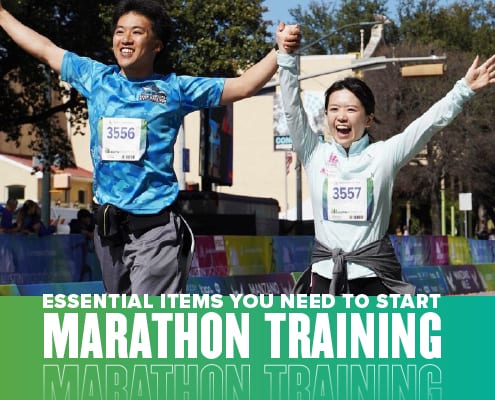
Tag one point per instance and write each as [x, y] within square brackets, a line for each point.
[248, 255]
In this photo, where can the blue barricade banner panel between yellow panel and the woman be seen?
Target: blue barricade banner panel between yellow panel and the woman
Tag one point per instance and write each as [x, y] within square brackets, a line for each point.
[292, 253]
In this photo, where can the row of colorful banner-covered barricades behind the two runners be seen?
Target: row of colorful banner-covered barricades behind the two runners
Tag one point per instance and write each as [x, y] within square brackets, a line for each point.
[244, 264]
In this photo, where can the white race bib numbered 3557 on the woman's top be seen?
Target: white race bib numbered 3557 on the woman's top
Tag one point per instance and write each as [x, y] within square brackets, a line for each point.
[348, 200]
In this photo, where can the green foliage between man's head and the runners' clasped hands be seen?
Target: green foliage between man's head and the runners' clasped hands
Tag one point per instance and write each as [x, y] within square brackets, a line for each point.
[217, 37]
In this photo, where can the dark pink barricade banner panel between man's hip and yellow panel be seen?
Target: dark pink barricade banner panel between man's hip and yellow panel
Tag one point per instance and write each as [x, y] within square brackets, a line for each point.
[209, 256]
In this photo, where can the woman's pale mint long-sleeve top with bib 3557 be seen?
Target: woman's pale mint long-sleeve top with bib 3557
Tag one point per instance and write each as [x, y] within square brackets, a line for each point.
[366, 171]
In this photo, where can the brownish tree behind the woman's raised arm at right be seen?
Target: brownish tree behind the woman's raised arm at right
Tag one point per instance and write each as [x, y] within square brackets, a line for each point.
[458, 156]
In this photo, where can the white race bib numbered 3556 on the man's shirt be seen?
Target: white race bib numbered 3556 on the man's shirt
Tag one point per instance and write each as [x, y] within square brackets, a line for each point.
[122, 139]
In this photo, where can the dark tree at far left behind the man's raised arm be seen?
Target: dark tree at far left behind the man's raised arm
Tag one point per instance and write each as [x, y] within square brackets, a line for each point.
[26, 85]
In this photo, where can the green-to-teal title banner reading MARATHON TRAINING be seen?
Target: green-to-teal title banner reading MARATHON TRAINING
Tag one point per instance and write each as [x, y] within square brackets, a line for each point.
[247, 347]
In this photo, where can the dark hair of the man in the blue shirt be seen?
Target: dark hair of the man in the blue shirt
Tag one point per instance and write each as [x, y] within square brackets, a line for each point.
[151, 9]
